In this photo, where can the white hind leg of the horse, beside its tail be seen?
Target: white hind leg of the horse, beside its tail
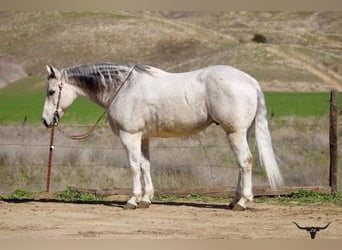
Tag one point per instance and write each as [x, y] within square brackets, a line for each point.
[238, 142]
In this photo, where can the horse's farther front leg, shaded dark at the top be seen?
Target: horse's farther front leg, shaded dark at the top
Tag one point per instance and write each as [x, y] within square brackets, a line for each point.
[145, 167]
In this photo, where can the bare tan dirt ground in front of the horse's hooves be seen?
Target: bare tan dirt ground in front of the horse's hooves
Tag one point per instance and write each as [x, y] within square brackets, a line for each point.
[161, 221]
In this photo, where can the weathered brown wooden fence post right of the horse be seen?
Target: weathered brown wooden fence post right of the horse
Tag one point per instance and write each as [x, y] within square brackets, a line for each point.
[333, 178]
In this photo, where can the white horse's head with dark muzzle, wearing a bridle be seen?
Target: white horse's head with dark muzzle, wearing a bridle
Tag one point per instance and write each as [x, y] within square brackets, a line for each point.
[59, 96]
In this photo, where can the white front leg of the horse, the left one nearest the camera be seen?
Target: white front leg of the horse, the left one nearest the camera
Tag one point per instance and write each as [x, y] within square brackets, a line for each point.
[132, 144]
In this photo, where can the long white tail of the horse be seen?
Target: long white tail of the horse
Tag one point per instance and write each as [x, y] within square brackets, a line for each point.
[263, 138]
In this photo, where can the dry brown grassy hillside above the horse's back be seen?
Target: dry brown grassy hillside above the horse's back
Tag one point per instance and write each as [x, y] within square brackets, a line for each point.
[302, 51]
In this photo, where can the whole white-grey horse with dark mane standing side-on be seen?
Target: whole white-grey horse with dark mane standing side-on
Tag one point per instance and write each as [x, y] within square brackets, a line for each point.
[142, 102]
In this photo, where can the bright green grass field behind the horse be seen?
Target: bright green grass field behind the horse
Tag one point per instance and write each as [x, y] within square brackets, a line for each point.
[24, 99]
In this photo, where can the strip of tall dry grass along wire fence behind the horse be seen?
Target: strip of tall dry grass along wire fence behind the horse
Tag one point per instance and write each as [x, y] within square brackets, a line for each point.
[197, 163]
